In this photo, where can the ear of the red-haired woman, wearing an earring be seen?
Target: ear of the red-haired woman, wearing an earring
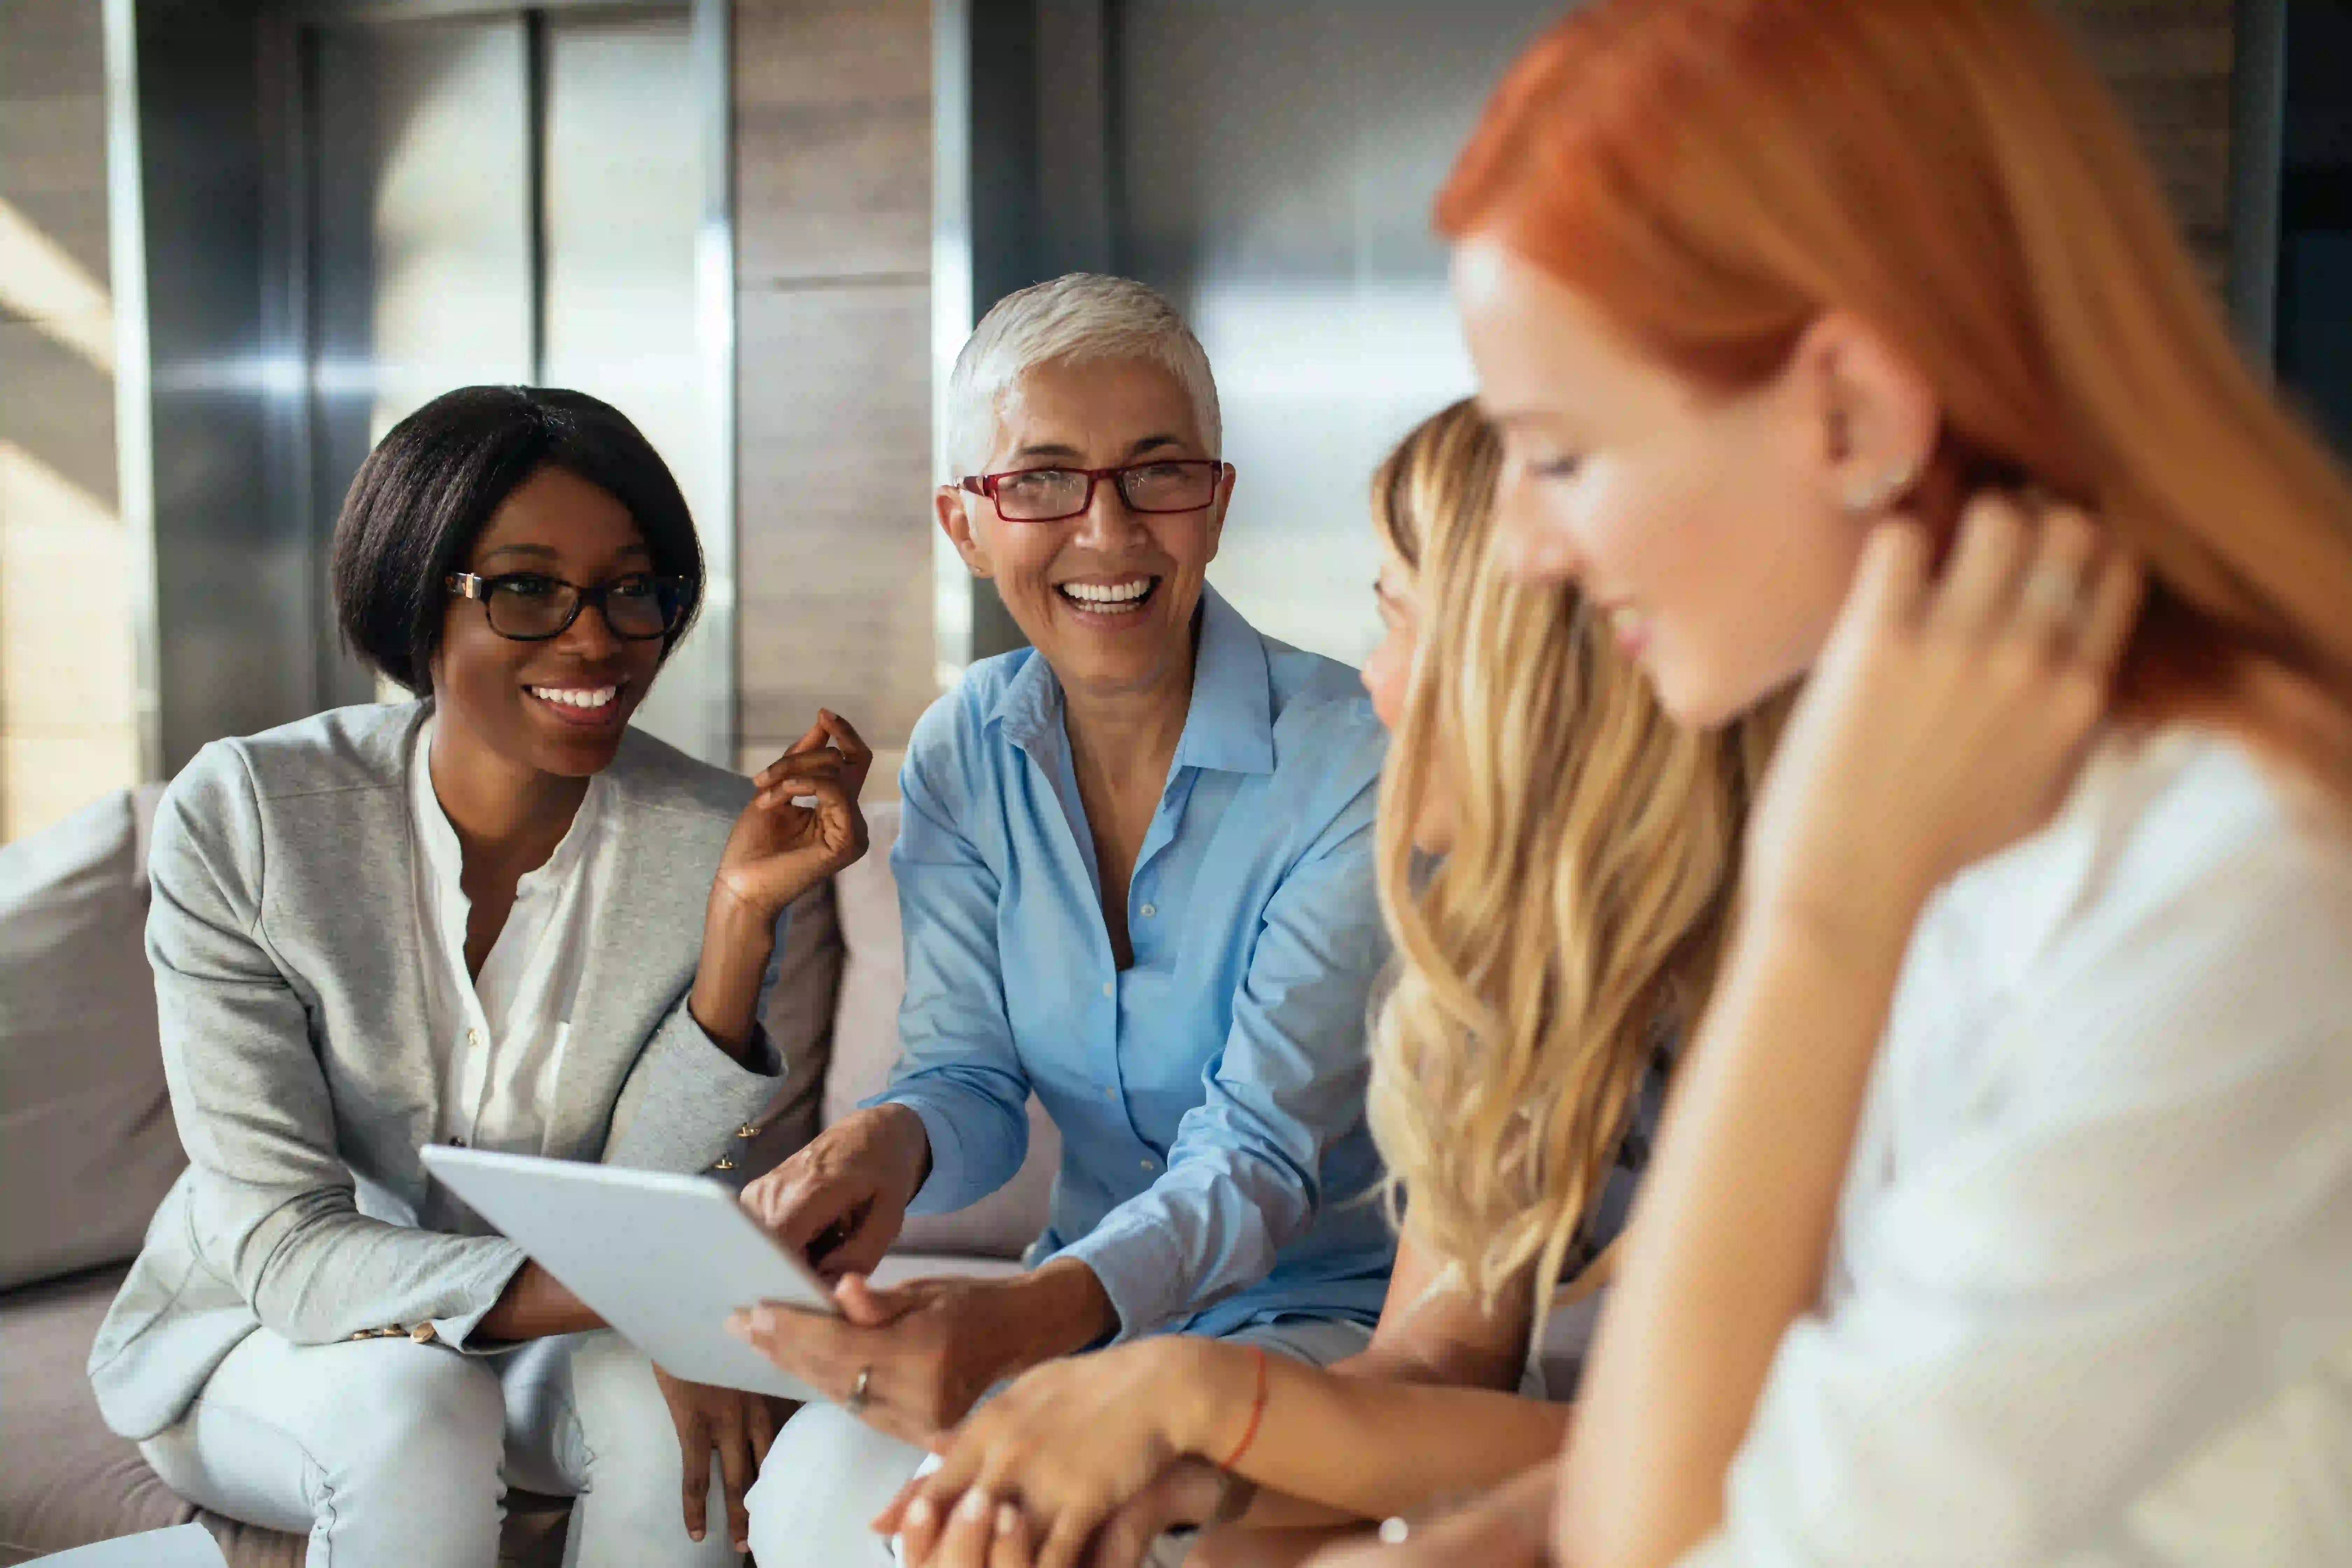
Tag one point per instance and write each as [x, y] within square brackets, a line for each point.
[1873, 415]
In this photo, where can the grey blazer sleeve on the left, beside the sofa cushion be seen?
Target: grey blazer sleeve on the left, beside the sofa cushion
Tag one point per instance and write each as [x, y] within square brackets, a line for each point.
[272, 1198]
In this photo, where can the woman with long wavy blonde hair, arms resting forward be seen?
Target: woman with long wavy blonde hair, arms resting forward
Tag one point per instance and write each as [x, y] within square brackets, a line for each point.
[1553, 951]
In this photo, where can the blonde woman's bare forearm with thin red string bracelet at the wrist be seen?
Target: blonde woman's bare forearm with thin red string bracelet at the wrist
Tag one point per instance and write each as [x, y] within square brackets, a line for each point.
[1365, 1447]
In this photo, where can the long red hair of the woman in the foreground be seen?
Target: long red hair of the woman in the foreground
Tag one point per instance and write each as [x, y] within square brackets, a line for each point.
[1713, 175]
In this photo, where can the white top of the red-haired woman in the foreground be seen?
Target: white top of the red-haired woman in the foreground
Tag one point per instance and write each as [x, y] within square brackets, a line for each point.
[2092, 1292]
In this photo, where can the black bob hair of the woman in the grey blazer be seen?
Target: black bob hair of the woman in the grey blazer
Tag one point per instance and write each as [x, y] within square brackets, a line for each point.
[429, 488]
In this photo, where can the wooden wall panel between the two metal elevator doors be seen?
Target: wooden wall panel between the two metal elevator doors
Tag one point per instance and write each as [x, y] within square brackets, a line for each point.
[834, 368]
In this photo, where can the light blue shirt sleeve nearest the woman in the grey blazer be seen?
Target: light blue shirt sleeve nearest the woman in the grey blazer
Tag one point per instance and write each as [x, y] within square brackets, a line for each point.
[958, 1068]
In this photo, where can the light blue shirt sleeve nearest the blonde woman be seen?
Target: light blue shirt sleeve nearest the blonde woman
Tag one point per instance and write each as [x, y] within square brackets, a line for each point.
[1245, 1172]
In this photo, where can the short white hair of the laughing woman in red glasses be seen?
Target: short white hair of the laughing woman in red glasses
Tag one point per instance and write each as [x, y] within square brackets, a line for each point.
[1078, 316]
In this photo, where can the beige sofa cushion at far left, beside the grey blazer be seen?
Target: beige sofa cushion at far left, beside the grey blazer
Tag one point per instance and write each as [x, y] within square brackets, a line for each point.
[86, 1125]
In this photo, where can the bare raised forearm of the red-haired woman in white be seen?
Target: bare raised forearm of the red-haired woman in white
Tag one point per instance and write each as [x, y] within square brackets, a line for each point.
[1732, 1238]
